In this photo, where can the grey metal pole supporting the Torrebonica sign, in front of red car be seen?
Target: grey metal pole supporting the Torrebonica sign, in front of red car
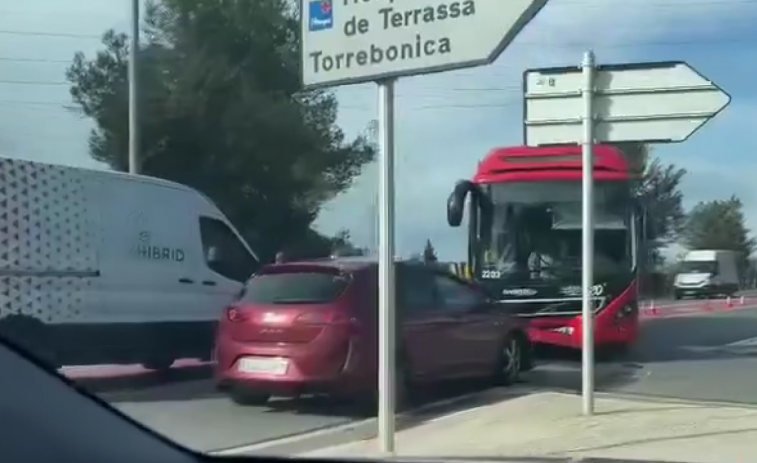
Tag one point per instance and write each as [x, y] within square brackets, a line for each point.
[386, 376]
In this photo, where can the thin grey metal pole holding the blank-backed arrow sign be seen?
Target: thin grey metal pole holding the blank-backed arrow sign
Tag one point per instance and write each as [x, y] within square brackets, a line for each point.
[587, 200]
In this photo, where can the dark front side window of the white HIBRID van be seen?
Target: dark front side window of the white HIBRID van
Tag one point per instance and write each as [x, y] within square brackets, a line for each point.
[224, 252]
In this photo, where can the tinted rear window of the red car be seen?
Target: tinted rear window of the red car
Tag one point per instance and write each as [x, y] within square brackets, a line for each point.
[299, 287]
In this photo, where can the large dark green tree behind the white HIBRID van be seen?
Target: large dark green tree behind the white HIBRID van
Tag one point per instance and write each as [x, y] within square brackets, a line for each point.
[222, 111]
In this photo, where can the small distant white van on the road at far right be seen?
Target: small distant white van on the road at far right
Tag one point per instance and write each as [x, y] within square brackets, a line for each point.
[707, 272]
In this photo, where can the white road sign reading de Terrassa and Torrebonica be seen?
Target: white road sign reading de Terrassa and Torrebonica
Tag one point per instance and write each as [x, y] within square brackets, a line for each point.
[350, 41]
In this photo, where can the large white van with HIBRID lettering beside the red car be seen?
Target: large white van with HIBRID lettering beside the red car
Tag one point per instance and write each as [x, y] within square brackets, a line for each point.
[104, 267]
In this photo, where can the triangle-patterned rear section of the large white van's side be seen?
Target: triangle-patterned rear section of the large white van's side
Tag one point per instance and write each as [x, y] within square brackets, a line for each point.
[46, 232]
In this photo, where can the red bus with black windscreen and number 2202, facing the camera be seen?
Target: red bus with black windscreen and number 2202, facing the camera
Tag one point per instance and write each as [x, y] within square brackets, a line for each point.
[524, 221]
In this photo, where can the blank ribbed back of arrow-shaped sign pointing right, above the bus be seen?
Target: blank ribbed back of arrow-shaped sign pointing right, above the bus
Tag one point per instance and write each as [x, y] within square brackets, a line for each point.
[640, 102]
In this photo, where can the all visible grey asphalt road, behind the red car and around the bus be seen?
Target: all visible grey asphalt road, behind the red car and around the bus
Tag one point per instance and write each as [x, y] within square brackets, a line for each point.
[684, 352]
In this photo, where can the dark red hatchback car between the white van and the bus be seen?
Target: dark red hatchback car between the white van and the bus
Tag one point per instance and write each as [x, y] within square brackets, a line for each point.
[312, 327]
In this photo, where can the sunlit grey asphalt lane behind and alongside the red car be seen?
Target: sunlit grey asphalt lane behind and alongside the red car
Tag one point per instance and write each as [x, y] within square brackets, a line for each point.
[195, 415]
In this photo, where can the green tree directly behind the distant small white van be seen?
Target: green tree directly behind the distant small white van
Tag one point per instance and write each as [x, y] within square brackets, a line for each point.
[720, 224]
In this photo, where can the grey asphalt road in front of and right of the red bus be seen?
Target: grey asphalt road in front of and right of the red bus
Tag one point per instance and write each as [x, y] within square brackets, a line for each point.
[704, 356]
